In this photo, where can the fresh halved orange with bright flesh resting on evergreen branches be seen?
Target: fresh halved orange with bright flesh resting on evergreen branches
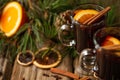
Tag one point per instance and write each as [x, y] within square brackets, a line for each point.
[12, 18]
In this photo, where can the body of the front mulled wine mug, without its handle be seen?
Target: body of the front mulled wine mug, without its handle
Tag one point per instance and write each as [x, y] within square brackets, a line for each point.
[108, 56]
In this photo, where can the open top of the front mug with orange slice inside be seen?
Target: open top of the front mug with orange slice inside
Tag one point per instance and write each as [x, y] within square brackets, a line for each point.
[107, 36]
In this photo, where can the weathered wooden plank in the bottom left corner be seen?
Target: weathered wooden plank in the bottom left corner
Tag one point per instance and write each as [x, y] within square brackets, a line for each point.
[5, 68]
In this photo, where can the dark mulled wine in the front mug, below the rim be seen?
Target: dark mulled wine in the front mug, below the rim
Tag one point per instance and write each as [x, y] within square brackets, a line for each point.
[108, 62]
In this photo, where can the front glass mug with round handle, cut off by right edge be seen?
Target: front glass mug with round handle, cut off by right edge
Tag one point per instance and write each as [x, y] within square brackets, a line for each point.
[103, 58]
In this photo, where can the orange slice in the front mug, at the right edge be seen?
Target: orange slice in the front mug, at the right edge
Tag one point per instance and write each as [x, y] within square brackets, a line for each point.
[109, 40]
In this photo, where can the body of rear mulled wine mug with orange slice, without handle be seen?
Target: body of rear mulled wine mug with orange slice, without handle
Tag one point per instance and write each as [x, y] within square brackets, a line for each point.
[84, 33]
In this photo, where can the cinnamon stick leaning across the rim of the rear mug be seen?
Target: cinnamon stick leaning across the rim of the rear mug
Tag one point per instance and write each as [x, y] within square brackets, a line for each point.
[96, 17]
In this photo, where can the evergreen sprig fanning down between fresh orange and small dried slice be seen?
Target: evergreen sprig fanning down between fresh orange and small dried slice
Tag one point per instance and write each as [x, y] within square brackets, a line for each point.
[28, 37]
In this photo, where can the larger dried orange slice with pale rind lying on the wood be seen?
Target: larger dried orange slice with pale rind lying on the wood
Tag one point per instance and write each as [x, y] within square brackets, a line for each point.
[50, 61]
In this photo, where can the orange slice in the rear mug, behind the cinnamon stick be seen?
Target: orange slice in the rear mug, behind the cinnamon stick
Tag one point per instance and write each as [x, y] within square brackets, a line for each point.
[83, 15]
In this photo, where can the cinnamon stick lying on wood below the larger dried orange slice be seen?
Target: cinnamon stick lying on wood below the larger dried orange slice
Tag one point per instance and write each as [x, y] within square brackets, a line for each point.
[62, 72]
